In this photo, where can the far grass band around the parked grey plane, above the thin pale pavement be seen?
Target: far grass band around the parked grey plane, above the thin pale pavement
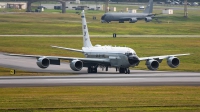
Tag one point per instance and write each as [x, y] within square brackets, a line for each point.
[70, 24]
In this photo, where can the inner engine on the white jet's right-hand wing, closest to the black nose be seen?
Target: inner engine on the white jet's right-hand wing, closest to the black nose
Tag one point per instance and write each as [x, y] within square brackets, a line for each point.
[152, 64]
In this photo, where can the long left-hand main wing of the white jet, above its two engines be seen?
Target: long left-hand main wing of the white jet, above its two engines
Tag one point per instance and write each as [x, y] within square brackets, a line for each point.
[63, 58]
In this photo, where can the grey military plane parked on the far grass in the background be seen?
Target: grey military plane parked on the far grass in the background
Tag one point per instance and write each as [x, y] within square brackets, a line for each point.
[131, 17]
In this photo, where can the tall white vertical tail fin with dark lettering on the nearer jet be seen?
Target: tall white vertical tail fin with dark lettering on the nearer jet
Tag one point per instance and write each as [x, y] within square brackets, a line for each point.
[86, 38]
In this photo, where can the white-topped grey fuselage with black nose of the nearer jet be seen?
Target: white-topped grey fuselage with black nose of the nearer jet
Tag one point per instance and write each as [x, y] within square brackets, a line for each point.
[118, 56]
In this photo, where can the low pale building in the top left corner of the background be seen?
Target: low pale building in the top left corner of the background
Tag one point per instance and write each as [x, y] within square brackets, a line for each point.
[14, 5]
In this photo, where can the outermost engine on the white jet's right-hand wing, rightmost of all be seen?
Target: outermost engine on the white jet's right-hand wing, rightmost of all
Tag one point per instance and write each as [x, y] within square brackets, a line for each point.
[173, 62]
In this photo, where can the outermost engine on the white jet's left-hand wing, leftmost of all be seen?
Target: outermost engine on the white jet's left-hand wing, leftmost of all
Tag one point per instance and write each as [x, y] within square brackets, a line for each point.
[43, 62]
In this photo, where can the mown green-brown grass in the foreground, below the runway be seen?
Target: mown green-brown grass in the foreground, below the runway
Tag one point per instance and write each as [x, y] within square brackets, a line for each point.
[100, 98]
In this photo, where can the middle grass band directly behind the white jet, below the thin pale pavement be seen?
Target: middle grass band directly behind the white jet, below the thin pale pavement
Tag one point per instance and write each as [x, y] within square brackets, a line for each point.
[143, 47]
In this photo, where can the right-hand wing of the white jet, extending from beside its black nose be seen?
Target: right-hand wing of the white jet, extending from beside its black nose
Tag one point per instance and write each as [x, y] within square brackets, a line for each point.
[162, 57]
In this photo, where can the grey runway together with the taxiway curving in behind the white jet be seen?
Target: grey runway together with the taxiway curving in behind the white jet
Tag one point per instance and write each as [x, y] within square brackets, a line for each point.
[81, 78]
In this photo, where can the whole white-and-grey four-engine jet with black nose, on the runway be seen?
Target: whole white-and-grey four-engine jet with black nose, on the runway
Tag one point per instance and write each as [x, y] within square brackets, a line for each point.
[120, 58]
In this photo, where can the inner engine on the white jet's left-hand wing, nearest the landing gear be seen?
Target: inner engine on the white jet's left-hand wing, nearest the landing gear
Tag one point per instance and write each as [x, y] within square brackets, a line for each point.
[76, 65]
